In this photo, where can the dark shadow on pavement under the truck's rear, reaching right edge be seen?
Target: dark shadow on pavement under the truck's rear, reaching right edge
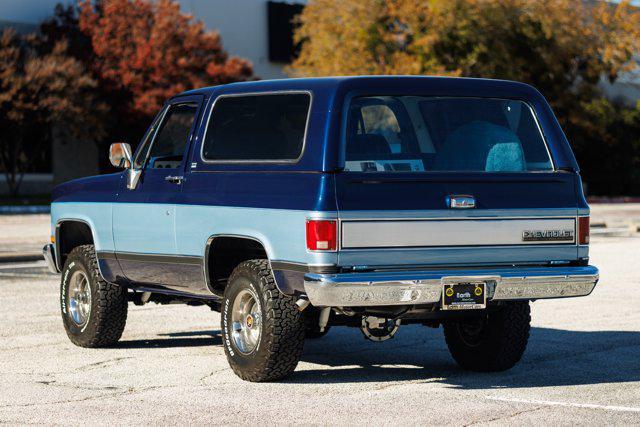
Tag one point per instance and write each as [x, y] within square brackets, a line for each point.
[554, 357]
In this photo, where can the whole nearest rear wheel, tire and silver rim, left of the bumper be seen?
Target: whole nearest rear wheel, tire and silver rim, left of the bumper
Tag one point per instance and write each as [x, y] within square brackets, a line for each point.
[262, 329]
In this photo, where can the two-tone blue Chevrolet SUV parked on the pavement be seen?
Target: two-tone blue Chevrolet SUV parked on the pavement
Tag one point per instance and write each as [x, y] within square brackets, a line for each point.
[293, 206]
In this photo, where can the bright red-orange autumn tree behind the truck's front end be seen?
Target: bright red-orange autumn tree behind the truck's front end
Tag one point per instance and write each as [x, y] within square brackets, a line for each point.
[153, 51]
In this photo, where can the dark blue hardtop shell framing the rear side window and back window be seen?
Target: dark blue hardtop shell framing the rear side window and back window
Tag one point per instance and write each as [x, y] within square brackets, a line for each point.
[322, 151]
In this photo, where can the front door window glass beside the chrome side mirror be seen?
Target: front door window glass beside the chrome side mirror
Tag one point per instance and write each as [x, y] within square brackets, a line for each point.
[168, 147]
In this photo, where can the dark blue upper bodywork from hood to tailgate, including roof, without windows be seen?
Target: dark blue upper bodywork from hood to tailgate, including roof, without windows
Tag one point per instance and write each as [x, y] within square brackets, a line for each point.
[309, 185]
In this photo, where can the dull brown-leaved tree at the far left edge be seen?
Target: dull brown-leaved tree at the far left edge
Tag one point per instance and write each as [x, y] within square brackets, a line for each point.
[35, 92]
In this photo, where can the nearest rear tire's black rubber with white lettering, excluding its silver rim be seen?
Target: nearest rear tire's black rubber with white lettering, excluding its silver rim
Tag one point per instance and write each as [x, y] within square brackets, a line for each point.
[282, 326]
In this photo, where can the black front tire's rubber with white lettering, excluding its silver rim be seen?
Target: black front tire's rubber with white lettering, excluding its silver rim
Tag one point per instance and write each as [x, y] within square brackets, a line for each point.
[108, 314]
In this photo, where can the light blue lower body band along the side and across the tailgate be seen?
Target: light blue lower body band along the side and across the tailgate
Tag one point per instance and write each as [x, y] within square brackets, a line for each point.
[184, 230]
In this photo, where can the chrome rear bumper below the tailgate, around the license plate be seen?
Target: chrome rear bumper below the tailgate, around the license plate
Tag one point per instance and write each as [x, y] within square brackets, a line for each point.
[425, 287]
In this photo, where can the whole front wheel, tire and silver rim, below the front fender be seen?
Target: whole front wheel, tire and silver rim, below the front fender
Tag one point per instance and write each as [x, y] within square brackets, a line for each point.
[94, 312]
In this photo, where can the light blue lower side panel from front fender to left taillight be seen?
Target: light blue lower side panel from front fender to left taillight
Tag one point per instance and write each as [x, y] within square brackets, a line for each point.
[140, 239]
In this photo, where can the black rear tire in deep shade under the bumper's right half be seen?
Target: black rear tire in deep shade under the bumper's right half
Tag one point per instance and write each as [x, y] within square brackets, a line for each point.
[499, 345]
